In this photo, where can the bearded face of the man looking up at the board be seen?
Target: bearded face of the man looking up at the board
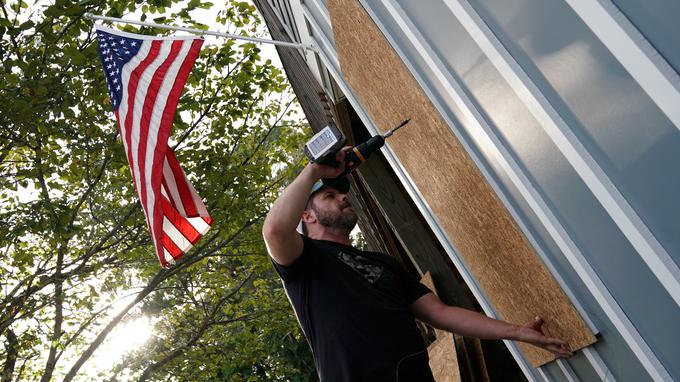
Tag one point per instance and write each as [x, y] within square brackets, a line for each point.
[333, 210]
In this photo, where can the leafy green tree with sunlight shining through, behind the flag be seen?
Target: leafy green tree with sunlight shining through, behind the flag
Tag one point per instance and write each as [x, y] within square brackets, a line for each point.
[73, 238]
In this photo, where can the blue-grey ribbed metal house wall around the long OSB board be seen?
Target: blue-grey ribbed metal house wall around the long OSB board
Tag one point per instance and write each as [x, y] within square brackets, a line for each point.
[569, 111]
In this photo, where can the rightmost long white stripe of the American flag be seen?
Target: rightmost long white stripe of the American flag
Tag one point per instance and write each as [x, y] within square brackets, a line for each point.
[156, 115]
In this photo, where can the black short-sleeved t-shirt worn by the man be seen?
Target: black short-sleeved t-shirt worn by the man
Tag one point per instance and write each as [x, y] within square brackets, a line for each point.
[353, 307]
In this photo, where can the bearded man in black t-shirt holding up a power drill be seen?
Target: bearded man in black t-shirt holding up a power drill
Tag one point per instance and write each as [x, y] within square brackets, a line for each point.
[357, 308]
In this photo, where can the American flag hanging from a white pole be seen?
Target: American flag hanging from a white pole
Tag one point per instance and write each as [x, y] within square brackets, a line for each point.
[145, 77]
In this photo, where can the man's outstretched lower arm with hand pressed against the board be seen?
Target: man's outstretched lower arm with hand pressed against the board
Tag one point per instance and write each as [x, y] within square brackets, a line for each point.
[430, 309]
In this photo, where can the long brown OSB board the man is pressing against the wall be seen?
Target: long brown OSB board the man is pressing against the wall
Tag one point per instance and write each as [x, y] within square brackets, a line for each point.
[492, 246]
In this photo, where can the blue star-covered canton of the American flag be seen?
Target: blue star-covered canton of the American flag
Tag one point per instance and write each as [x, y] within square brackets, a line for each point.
[115, 51]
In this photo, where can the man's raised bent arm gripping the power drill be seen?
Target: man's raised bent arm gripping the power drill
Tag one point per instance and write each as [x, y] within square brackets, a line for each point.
[283, 242]
